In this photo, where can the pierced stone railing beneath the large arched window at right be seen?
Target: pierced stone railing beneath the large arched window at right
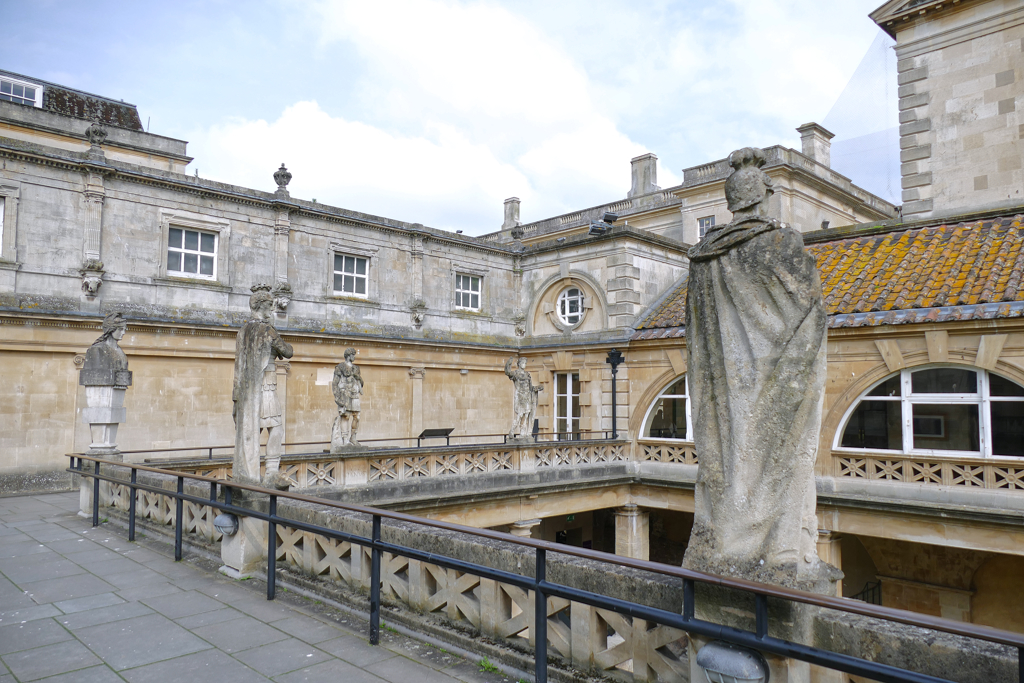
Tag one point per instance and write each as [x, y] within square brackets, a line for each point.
[967, 473]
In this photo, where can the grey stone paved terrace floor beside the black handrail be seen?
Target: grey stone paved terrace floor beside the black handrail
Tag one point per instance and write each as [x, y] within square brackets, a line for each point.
[81, 605]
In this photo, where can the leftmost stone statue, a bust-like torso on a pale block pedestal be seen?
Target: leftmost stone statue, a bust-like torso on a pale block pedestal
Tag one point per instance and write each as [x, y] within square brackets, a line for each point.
[106, 377]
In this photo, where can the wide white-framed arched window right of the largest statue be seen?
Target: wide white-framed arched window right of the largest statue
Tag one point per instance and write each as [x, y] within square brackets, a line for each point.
[940, 411]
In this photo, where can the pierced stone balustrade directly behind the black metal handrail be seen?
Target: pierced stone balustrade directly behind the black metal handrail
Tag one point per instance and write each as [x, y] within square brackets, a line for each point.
[589, 639]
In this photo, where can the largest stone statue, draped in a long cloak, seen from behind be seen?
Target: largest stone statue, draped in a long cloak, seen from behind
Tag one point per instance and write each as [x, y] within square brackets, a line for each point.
[756, 339]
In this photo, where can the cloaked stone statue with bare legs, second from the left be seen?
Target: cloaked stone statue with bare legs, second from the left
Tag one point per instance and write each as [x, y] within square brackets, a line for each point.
[255, 395]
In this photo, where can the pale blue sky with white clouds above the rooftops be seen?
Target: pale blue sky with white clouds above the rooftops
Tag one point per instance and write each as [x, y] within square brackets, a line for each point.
[436, 111]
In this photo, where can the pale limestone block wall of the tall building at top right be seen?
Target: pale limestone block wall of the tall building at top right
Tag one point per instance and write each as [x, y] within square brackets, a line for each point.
[962, 92]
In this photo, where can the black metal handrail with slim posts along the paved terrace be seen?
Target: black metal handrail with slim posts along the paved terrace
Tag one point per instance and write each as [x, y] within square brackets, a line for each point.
[544, 589]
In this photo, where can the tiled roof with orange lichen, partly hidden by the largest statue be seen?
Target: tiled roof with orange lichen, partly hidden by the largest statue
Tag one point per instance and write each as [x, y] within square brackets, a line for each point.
[964, 272]
